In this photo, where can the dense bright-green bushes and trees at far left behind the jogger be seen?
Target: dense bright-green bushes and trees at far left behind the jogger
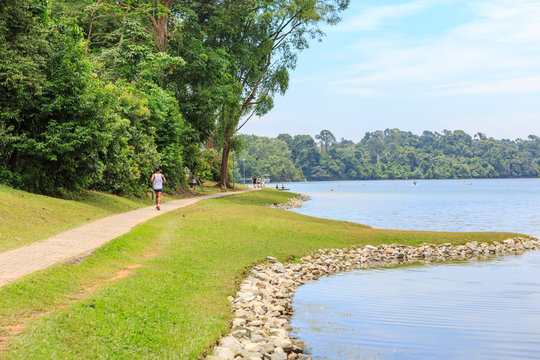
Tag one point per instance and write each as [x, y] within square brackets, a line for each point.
[81, 101]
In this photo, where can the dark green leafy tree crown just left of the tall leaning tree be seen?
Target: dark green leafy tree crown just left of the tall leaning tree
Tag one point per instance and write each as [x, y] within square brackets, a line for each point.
[201, 85]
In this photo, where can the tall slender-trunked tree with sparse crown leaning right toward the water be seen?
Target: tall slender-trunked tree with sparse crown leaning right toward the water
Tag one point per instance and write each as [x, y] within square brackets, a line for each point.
[262, 40]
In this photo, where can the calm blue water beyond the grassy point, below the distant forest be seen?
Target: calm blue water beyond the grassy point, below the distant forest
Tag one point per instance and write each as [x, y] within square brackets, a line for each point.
[443, 205]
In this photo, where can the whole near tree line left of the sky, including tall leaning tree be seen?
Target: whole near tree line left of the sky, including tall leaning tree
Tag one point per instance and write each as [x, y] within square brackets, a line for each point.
[95, 93]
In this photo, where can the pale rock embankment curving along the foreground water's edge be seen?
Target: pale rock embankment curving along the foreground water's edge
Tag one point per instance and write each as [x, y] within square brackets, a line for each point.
[262, 308]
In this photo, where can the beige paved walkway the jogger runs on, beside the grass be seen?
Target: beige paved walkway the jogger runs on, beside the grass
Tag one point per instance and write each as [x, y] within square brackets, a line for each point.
[42, 254]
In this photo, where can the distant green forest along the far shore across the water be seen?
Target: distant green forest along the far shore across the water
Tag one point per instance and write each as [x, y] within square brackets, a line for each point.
[388, 154]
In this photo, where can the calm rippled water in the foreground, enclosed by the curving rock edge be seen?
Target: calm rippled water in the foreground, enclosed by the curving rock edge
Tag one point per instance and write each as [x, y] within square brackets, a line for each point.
[478, 310]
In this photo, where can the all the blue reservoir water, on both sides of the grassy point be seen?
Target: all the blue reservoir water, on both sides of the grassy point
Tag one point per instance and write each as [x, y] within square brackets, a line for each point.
[471, 310]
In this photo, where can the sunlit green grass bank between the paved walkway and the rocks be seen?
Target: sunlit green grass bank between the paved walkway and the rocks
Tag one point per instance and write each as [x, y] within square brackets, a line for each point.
[161, 290]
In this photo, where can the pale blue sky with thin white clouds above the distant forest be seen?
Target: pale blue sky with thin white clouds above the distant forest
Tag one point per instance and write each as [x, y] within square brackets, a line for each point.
[417, 65]
